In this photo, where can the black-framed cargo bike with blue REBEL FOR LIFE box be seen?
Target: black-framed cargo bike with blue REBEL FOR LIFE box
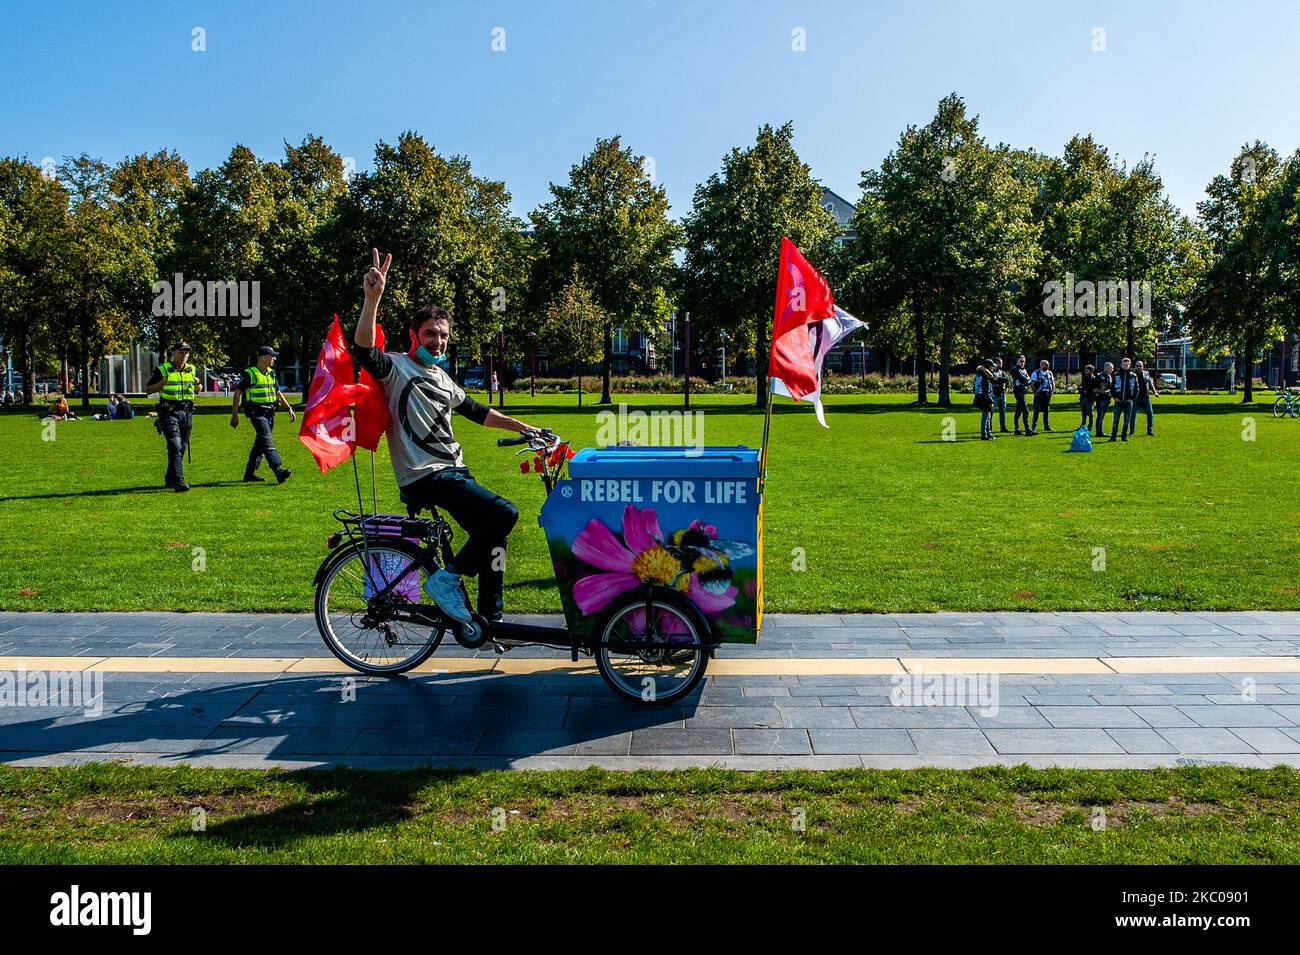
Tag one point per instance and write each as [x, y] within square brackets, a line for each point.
[649, 606]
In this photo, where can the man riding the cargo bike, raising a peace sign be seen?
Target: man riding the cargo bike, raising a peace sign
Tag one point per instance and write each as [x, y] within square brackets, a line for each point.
[427, 459]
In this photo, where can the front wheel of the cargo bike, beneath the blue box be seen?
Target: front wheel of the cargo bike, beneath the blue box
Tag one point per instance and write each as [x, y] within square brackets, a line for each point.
[652, 649]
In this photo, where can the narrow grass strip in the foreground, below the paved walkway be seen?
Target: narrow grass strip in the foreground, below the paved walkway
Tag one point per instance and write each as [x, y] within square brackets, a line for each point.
[105, 814]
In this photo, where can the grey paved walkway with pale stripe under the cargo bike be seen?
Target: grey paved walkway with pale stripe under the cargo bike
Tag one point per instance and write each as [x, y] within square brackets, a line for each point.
[1099, 691]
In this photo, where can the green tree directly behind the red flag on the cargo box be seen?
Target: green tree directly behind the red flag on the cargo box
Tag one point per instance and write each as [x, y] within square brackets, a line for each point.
[734, 238]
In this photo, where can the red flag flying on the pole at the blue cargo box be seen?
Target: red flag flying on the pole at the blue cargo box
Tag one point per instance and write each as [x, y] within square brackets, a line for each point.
[803, 297]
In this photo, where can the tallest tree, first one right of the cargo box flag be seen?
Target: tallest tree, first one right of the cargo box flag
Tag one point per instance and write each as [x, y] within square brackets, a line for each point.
[946, 233]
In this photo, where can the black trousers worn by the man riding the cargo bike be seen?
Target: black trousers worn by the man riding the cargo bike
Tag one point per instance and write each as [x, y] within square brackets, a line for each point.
[487, 519]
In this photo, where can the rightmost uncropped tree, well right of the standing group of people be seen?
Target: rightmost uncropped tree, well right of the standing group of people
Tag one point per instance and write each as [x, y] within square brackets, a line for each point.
[1241, 303]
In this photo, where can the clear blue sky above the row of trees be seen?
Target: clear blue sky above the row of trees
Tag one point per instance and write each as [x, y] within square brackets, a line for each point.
[682, 83]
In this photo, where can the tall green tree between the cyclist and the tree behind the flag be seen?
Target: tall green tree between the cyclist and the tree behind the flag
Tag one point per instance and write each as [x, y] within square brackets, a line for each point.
[612, 223]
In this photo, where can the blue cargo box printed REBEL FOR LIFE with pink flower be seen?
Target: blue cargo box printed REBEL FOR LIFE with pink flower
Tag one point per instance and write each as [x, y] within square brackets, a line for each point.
[682, 518]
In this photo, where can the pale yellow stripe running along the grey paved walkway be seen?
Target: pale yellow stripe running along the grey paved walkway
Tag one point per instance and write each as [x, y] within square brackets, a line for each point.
[723, 667]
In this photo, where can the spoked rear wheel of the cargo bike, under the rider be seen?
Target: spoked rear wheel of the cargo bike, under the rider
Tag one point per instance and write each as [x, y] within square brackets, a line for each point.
[359, 626]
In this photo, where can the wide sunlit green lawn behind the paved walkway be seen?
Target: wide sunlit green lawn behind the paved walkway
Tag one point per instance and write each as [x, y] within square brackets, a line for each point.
[890, 515]
